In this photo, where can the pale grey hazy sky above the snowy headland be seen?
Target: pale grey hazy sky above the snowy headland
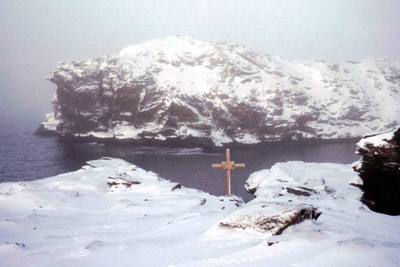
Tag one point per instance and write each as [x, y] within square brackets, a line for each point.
[36, 35]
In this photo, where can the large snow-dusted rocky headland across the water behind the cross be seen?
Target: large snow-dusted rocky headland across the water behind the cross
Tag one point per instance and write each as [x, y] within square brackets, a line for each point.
[181, 88]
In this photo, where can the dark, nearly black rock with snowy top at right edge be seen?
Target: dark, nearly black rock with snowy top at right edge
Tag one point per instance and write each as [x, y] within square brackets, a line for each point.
[379, 170]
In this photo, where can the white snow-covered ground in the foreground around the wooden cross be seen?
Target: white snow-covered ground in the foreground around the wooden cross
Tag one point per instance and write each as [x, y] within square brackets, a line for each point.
[112, 213]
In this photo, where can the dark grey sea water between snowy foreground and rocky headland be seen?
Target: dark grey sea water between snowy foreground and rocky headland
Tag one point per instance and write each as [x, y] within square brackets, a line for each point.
[24, 157]
